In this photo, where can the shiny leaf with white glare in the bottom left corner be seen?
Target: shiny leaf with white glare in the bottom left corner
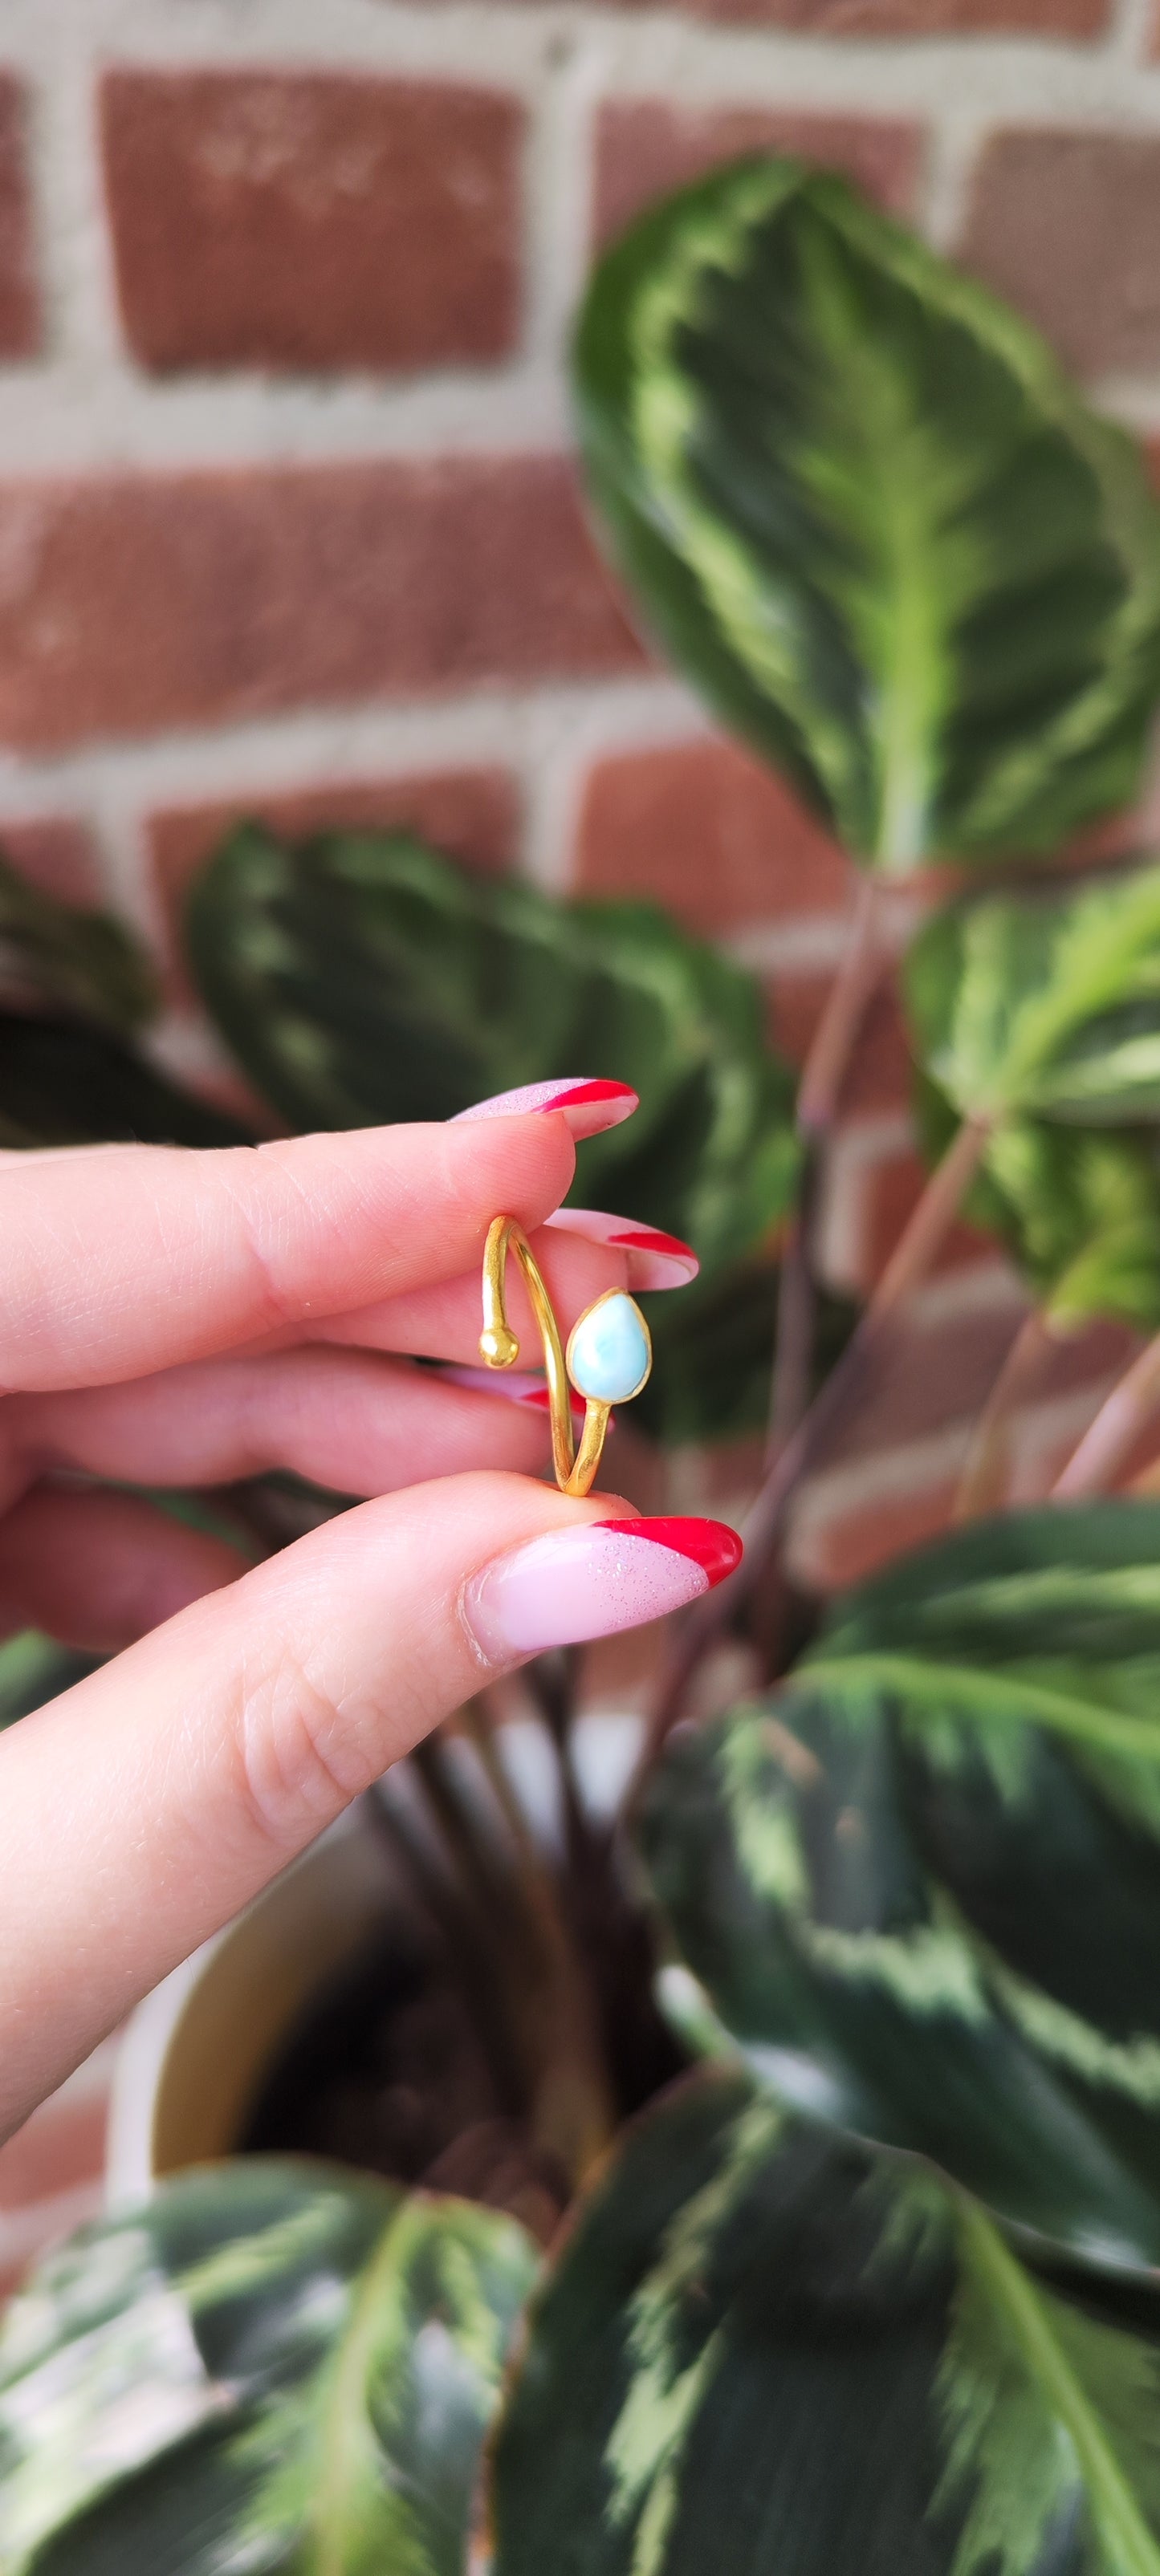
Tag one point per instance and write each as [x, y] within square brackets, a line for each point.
[267, 2369]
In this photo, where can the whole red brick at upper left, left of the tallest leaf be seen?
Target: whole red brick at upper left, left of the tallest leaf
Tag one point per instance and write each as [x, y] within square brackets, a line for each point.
[313, 220]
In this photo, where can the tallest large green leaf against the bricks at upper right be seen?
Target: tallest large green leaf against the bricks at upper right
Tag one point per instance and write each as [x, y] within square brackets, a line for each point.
[870, 519]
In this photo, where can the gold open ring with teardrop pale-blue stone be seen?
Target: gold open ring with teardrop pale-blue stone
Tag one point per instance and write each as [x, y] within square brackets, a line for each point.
[607, 1361]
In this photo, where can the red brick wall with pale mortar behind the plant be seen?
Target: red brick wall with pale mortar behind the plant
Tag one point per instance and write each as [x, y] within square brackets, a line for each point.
[287, 514]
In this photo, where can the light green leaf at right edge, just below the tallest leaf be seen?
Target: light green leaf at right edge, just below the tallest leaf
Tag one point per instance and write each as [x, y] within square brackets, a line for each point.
[1045, 1003]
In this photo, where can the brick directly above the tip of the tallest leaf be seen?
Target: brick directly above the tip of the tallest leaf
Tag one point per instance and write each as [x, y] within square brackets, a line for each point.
[646, 148]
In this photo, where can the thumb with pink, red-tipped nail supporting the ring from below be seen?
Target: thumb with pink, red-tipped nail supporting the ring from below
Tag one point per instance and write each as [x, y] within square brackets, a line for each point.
[148, 1804]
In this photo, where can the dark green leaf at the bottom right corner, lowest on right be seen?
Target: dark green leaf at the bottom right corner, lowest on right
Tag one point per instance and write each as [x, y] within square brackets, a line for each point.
[769, 2351]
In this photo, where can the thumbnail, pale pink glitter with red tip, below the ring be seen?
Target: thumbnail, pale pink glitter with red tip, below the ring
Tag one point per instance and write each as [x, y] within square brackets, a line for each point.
[594, 1580]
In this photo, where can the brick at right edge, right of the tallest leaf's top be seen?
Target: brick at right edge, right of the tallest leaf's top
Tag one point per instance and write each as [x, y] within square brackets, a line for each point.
[1068, 228]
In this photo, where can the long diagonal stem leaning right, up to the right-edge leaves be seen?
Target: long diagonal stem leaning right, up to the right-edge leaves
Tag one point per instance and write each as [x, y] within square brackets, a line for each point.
[764, 1524]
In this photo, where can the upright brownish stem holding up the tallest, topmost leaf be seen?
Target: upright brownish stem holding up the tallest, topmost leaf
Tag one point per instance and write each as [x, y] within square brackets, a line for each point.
[818, 1101]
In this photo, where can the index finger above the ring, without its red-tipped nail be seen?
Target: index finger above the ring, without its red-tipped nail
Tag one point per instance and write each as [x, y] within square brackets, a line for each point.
[135, 1258]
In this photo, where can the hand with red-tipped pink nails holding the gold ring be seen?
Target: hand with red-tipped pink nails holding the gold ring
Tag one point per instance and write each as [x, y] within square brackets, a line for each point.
[200, 1318]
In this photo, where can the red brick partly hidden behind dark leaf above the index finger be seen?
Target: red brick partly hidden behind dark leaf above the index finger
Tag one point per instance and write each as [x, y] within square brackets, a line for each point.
[468, 813]
